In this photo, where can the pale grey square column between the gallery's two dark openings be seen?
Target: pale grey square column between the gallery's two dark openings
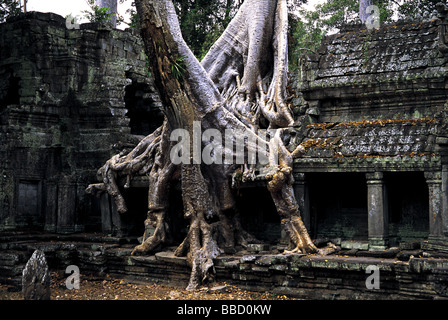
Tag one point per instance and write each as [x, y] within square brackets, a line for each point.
[377, 211]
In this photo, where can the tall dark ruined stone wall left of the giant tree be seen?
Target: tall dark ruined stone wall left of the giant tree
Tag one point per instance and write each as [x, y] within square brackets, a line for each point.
[65, 95]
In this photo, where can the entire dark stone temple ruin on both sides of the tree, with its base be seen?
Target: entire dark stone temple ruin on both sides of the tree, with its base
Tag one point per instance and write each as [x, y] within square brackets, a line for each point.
[370, 108]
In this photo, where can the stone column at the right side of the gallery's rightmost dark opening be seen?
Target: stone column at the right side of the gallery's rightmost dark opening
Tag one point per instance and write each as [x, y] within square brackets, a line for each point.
[435, 187]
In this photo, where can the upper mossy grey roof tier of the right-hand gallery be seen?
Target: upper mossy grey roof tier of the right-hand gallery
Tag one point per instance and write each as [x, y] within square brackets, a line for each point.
[384, 61]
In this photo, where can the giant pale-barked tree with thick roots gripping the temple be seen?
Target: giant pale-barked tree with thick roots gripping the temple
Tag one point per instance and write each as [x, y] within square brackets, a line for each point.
[239, 87]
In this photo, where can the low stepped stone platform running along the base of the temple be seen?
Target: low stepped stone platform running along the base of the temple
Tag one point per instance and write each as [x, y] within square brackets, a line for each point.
[304, 276]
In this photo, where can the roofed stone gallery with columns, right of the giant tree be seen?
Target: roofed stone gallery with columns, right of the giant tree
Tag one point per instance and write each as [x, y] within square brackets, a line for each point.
[377, 138]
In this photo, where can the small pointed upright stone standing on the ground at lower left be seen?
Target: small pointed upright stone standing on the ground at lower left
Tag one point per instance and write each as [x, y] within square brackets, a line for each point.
[36, 278]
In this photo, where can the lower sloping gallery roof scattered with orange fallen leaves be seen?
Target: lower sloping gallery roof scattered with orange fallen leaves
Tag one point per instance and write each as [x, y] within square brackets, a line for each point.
[362, 139]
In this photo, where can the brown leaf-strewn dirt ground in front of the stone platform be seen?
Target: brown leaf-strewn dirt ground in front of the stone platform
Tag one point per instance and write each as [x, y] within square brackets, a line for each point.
[117, 289]
